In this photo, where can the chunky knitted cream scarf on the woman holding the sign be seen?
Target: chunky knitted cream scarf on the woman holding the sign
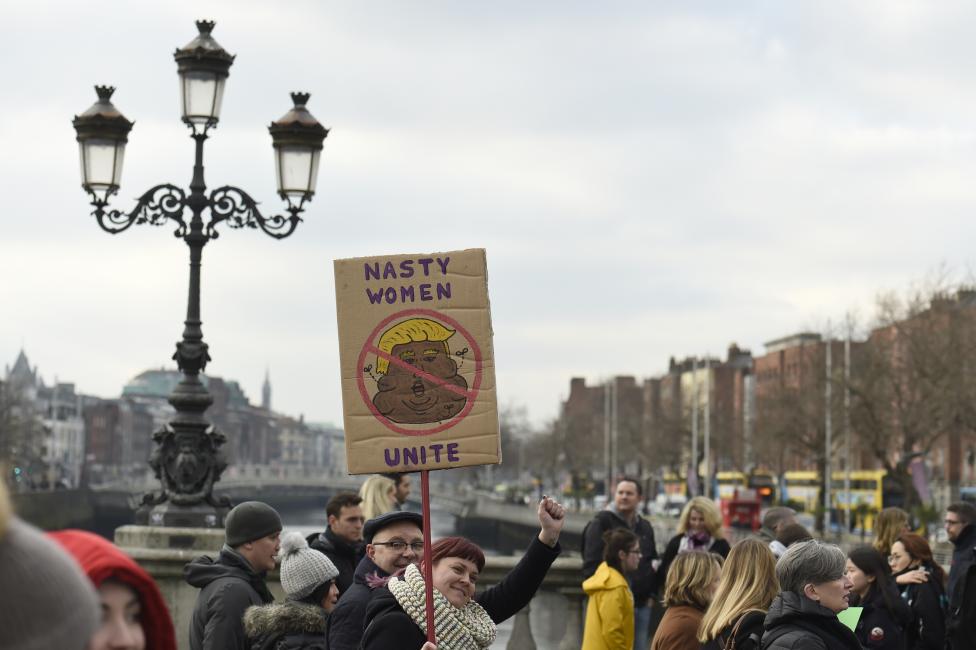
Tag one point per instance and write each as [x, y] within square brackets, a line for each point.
[469, 628]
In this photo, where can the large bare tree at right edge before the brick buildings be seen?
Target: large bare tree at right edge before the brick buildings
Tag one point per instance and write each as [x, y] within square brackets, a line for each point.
[913, 386]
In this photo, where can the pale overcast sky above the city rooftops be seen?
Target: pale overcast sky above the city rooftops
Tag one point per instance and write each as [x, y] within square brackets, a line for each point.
[649, 179]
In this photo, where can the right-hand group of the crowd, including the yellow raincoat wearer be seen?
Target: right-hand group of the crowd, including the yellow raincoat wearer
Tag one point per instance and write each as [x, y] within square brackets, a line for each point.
[779, 589]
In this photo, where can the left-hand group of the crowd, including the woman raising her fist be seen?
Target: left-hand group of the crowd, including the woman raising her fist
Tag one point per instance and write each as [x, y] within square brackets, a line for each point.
[359, 584]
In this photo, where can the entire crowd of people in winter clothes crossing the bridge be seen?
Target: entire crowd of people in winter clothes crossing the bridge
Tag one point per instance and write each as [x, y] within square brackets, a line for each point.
[360, 584]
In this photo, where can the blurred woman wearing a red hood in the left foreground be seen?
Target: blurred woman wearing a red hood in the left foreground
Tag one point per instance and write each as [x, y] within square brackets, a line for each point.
[134, 614]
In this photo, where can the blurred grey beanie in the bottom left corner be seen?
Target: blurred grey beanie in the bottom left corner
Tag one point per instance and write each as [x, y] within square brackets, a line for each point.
[45, 599]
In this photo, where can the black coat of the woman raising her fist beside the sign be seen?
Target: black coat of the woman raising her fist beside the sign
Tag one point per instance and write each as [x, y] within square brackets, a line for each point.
[388, 627]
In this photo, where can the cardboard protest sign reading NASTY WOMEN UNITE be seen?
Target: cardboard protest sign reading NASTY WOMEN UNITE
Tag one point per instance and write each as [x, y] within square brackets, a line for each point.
[415, 350]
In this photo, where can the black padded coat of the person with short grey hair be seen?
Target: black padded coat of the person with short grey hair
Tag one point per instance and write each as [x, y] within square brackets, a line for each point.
[798, 623]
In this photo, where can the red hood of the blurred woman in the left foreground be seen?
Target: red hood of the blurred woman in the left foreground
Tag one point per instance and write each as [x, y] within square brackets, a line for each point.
[101, 560]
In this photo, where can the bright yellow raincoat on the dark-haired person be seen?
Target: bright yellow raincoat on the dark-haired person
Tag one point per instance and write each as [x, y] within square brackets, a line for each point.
[610, 612]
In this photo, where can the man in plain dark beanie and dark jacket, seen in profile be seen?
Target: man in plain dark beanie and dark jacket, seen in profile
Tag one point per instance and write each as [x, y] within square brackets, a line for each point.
[235, 580]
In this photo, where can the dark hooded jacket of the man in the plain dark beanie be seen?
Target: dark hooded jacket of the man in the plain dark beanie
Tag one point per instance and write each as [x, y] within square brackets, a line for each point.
[228, 586]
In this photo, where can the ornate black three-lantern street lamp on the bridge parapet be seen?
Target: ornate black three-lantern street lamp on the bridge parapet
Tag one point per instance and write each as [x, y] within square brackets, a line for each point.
[187, 458]
